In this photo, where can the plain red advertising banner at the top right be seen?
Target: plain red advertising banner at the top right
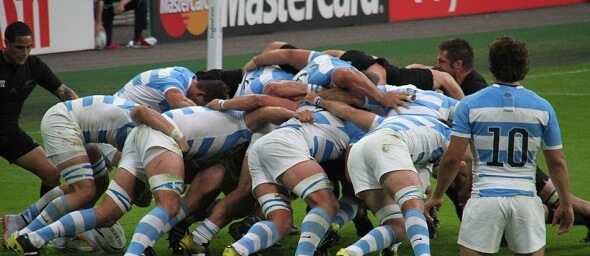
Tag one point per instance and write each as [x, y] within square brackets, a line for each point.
[425, 9]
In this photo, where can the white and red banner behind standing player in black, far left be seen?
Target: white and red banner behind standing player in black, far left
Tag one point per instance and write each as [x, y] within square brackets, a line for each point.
[57, 25]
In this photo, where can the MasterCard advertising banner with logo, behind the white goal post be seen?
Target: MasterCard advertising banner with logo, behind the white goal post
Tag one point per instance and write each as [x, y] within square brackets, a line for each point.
[188, 19]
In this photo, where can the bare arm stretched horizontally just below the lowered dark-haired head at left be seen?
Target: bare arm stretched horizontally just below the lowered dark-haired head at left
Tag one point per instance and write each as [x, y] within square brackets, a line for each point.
[252, 102]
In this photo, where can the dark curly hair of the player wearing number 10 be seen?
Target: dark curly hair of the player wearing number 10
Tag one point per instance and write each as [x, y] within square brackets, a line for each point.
[508, 59]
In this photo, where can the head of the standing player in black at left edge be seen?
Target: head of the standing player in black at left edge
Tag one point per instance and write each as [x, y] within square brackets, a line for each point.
[18, 40]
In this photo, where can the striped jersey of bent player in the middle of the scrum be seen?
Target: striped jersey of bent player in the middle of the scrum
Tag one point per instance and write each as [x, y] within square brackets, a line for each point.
[336, 134]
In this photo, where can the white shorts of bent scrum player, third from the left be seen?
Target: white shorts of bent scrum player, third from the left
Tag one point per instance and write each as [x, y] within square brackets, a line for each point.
[276, 152]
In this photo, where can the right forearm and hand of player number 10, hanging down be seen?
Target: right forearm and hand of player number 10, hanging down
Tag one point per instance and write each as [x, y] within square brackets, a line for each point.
[558, 173]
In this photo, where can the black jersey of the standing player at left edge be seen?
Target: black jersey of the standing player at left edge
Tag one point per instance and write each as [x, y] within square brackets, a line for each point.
[16, 83]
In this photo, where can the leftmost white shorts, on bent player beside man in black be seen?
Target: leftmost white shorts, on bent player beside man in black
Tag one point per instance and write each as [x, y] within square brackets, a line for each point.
[62, 136]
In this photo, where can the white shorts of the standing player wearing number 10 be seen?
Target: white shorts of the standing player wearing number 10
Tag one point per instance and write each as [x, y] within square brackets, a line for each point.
[520, 218]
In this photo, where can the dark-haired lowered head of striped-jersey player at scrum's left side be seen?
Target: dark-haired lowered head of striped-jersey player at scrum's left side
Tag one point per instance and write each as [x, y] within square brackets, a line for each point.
[202, 92]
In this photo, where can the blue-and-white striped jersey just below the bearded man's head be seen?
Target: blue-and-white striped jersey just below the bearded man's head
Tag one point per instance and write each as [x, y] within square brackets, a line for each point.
[429, 103]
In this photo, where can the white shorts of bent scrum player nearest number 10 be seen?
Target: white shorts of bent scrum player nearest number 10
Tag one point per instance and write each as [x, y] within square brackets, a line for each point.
[375, 155]
